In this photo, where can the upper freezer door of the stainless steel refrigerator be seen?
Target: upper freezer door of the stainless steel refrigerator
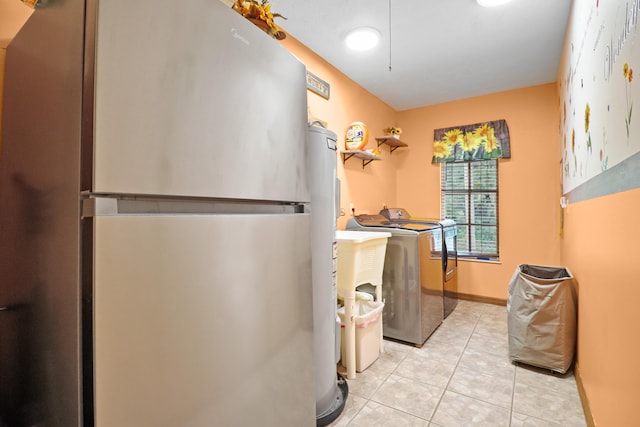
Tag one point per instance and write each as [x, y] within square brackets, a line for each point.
[192, 99]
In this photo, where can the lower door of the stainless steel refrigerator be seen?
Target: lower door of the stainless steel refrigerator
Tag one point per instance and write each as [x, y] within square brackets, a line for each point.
[203, 320]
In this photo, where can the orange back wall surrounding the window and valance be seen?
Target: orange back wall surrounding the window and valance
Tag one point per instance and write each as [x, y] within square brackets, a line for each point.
[529, 181]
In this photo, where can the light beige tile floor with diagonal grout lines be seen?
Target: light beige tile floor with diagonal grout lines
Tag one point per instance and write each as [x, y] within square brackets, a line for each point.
[462, 376]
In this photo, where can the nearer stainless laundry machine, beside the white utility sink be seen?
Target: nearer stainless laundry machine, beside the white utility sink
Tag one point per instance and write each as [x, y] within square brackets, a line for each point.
[412, 280]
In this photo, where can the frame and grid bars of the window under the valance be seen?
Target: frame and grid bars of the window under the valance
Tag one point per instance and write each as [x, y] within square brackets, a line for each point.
[469, 192]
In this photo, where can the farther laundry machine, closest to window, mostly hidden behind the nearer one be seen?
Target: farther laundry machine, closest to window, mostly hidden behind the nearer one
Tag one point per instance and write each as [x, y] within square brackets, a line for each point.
[448, 247]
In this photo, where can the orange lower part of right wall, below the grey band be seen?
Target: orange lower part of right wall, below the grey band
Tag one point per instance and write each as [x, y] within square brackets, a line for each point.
[599, 246]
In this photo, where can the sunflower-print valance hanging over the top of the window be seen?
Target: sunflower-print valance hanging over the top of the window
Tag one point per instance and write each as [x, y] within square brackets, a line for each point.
[480, 141]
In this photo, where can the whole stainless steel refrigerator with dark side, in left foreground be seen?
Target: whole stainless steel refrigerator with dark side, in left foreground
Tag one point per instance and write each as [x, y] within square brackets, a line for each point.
[155, 254]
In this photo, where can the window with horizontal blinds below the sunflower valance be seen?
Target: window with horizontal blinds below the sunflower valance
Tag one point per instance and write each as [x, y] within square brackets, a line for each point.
[469, 196]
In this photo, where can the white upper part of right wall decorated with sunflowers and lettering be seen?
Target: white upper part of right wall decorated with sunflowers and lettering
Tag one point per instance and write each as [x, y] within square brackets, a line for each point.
[596, 89]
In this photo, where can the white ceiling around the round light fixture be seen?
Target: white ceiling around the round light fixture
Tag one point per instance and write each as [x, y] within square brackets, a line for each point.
[439, 50]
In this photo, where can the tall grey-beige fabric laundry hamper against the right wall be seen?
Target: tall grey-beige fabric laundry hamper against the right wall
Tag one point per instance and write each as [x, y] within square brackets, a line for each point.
[542, 317]
